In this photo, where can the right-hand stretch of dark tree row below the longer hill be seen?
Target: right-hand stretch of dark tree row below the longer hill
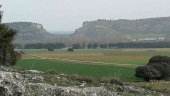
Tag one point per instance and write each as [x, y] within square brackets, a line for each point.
[123, 45]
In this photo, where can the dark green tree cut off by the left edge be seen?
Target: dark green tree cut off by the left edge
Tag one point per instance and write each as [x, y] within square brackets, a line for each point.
[7, 54]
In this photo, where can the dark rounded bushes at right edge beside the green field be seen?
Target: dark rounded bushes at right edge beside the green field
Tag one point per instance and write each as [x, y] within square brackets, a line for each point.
[157, 68]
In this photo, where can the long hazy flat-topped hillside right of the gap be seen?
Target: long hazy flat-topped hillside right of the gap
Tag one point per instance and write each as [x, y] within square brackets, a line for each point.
[124, 30]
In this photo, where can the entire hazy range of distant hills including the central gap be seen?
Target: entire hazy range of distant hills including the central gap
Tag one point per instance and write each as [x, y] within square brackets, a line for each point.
[99, 31]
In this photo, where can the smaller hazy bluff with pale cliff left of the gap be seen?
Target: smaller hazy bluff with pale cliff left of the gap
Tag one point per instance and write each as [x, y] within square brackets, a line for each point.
[28, 31]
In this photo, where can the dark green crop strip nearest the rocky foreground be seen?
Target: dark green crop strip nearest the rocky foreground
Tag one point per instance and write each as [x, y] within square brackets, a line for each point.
[96, 71]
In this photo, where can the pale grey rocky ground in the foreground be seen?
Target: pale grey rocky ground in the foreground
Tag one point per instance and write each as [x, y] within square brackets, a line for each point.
[32, 83]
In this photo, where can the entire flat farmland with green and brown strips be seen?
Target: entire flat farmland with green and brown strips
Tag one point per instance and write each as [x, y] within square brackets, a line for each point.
[97, 63]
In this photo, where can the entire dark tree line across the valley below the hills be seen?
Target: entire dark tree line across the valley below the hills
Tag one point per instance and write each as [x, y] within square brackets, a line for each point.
[95, 45]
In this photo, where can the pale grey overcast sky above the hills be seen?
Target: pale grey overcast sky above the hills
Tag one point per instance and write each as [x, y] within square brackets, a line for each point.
[67, 15]
